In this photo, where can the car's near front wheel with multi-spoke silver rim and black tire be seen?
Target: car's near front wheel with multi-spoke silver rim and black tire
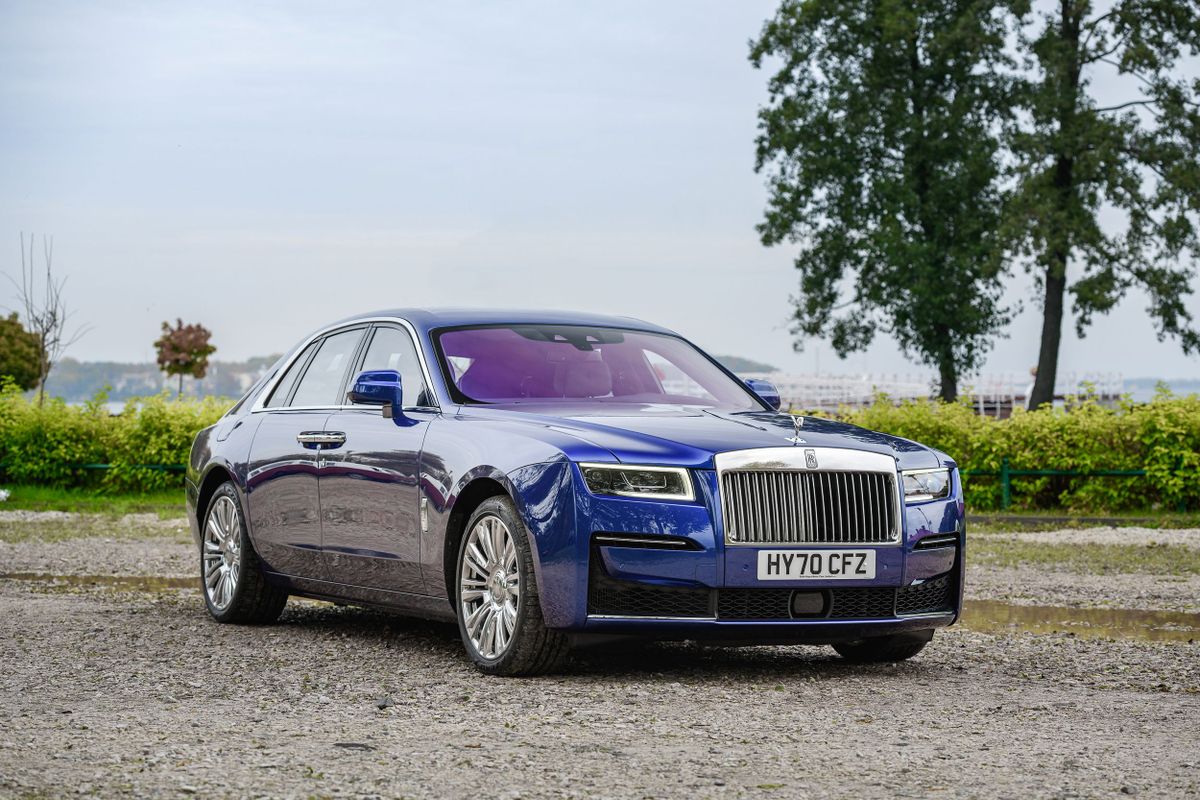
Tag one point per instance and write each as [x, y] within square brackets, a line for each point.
[496, 597]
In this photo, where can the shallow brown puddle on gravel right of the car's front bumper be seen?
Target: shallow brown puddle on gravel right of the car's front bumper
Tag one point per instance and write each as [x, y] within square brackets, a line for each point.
[994, 617]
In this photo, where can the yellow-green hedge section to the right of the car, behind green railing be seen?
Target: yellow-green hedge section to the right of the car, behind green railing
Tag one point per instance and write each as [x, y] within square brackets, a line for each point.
[1161, 437]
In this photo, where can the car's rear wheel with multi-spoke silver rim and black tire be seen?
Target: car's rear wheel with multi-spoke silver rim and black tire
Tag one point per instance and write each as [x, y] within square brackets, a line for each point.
[232, 579]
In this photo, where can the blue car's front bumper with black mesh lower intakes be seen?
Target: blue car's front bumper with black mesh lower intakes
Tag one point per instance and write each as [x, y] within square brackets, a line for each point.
[711, 591]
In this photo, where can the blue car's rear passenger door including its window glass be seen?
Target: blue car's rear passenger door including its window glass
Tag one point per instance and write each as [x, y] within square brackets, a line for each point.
[284, 500]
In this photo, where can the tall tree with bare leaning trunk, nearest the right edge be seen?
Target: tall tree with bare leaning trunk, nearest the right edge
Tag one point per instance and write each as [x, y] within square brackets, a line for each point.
[1135, 157]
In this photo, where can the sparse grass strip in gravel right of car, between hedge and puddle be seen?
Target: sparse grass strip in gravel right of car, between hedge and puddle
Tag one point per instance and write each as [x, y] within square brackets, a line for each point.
[1088, 560]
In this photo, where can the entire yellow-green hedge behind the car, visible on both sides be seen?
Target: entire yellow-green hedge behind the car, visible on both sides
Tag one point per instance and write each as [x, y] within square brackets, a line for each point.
[50, 446]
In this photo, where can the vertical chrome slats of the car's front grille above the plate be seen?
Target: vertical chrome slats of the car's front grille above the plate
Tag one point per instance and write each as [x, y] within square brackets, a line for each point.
[777, 507]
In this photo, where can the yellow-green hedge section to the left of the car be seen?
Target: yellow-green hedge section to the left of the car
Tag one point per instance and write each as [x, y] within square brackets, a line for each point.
[50, 446]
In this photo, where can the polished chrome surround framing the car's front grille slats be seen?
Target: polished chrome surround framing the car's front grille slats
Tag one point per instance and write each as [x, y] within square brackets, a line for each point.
[794, 460]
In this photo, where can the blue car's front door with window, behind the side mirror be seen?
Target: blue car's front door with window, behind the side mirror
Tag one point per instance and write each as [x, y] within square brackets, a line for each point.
[371, 530]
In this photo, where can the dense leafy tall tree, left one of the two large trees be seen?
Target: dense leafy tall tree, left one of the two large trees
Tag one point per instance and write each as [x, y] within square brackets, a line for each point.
[881, 146]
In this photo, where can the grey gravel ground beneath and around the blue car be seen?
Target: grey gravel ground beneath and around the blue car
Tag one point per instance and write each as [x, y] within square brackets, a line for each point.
[113, 693]
